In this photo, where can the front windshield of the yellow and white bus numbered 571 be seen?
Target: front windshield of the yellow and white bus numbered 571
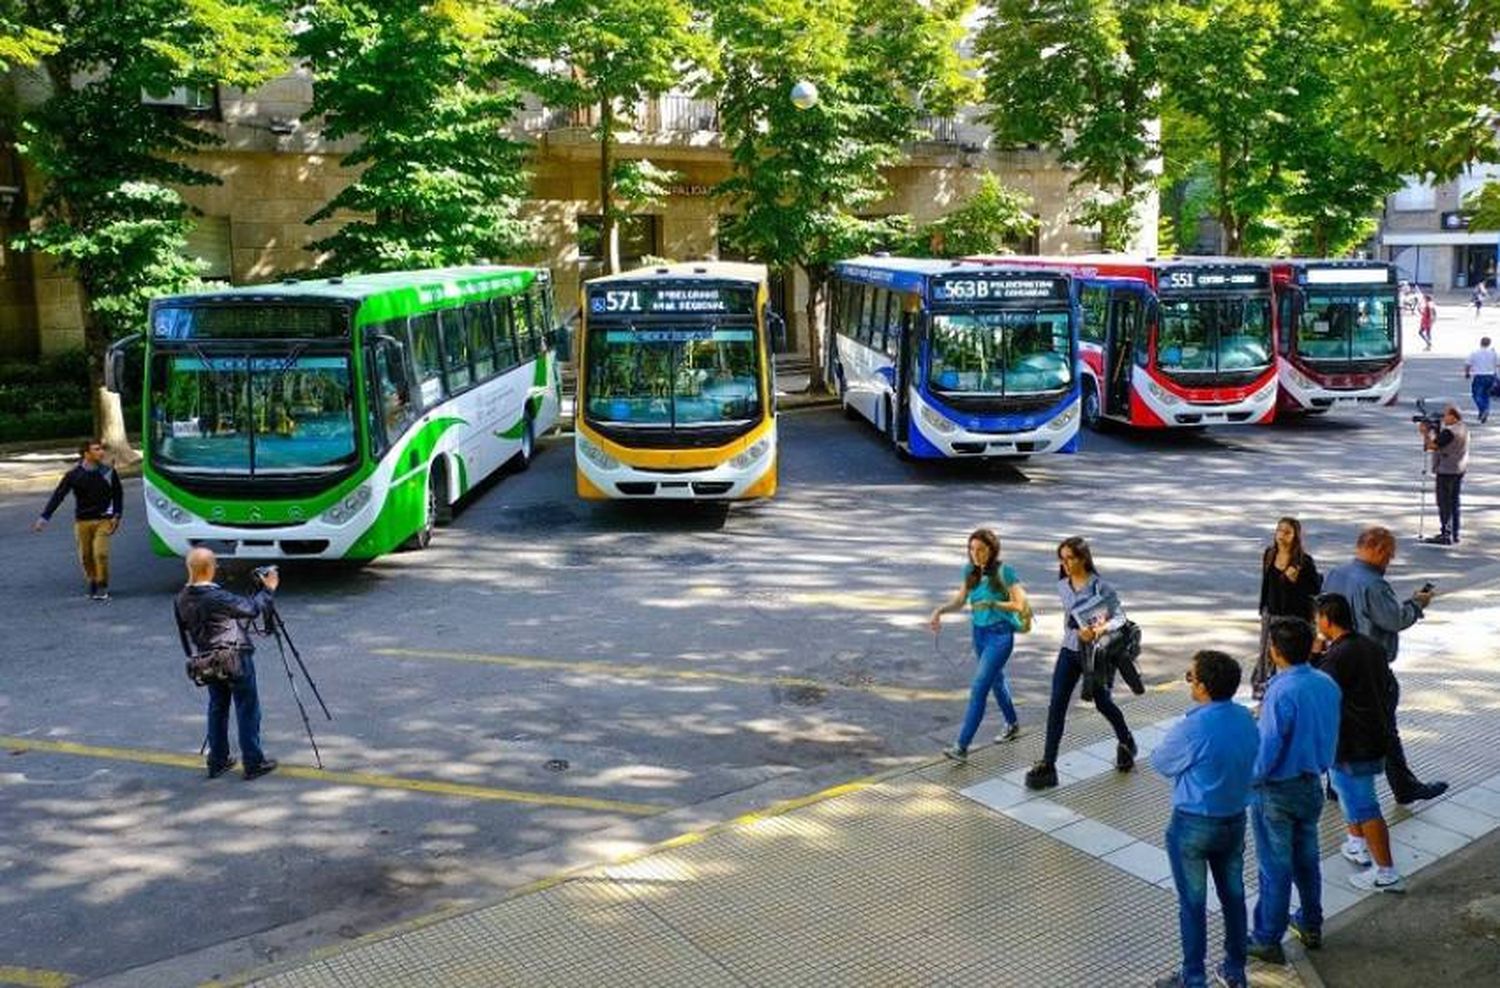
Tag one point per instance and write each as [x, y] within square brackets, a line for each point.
[673, 377]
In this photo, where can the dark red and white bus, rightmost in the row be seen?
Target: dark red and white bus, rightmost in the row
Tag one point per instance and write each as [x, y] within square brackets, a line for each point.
[1339, 334]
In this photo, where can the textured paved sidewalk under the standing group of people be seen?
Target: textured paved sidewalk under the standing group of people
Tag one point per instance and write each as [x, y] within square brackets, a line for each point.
[946, 875]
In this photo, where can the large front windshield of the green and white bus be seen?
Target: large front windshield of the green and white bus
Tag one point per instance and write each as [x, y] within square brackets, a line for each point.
[256, 416]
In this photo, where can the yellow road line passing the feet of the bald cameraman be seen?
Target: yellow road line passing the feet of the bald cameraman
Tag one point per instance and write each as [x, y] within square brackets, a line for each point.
[368, 780]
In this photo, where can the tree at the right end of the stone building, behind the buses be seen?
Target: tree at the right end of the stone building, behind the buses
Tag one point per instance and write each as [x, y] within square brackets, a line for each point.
[1079, 77]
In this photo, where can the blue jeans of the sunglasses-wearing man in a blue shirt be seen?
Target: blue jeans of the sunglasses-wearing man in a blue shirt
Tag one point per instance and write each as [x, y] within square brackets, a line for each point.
[1198, 845]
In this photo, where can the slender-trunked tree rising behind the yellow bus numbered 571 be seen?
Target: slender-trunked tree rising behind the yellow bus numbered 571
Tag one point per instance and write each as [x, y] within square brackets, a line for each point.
[608, 56]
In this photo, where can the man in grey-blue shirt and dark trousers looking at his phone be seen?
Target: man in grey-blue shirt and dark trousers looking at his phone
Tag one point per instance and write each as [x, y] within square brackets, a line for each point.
[1378, 615]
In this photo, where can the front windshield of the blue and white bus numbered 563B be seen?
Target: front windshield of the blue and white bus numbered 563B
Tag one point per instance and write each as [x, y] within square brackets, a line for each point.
[994, 355]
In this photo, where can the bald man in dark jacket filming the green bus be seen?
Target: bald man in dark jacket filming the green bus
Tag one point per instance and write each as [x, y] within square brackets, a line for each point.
[212, 618]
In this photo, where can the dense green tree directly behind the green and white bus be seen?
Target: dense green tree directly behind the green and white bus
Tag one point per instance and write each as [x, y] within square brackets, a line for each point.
[430, 89]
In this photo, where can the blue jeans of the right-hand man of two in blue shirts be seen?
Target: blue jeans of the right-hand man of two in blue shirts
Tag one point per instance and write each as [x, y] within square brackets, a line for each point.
[1285, 815]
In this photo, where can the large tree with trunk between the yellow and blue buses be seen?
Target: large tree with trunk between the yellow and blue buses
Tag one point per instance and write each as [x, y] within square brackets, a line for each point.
[802, 178]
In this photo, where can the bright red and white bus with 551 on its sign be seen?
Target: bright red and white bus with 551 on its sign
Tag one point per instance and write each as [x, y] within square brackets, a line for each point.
[1172, 343]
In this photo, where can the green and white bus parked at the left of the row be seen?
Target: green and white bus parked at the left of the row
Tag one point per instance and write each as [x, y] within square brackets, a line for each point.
[340, 419]
